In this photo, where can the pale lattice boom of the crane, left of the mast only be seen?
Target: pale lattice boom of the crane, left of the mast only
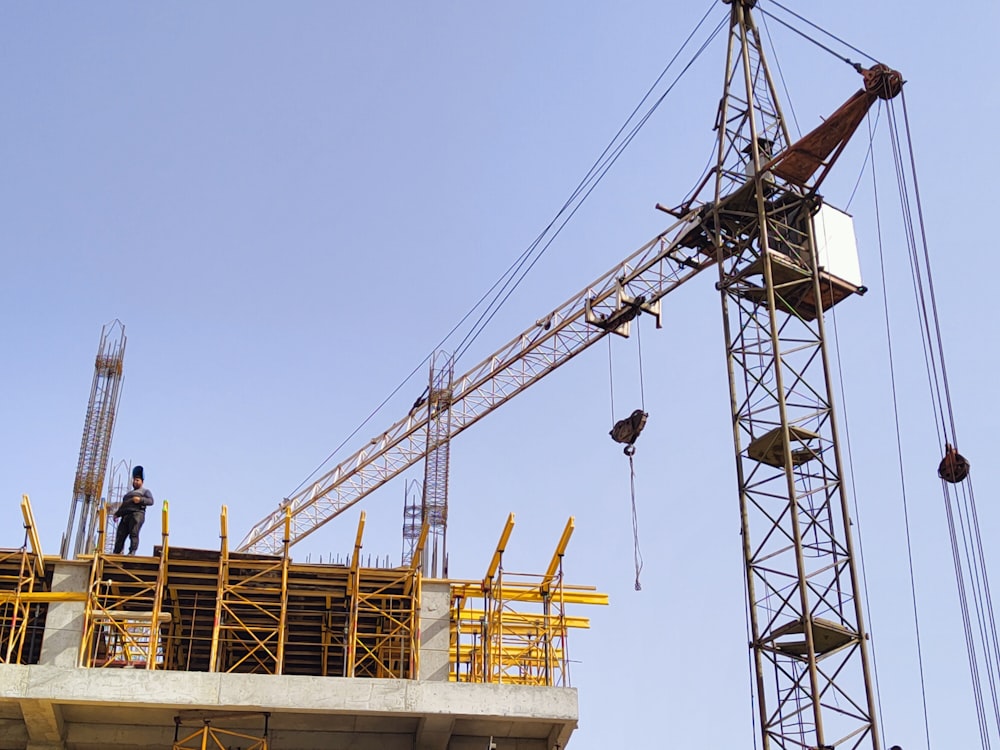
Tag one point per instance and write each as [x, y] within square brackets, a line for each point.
[656, 268]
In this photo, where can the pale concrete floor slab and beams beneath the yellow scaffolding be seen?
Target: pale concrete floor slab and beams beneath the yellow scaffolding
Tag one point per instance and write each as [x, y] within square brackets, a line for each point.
[46, 707]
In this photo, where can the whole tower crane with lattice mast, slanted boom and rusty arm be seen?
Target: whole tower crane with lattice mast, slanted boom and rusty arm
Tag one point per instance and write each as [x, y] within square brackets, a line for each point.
[757, 220]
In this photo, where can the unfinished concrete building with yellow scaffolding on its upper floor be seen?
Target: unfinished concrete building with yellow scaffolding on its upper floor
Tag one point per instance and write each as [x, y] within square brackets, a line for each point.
[194, 648]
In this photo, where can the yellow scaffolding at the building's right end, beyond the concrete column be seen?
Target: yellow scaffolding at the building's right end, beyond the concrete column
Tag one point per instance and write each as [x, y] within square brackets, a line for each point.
[518, 633]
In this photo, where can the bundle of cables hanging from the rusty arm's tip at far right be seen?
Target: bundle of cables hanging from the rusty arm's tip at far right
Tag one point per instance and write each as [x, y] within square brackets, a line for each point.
[953, 469]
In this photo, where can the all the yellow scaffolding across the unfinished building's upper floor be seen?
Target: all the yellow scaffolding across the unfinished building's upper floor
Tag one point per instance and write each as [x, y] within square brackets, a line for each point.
[198, 610]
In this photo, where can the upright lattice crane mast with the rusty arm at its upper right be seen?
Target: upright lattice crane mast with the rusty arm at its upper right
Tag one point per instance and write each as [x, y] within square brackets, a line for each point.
[813, 685]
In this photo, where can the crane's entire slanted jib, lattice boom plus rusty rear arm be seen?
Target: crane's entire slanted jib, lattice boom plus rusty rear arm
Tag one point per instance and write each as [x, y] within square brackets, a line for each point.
[696, 241]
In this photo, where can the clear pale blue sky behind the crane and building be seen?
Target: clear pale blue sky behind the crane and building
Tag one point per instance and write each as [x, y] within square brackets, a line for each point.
[289, 205]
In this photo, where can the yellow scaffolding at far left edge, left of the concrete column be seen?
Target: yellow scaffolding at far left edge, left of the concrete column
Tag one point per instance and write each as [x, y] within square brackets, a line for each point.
[22, 610]
